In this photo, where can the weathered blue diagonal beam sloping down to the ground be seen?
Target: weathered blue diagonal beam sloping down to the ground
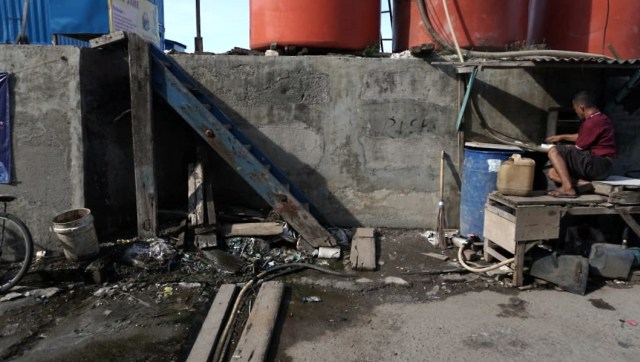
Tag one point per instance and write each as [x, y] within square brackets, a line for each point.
[175, 86]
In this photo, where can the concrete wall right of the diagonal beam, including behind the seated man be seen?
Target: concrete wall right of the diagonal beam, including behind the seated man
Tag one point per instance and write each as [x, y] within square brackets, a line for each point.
[362, 136]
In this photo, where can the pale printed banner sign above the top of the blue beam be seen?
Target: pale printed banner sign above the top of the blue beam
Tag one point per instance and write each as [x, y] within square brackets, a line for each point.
[135, 16]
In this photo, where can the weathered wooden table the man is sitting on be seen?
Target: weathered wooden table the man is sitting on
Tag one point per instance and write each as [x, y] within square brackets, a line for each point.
[514, 224]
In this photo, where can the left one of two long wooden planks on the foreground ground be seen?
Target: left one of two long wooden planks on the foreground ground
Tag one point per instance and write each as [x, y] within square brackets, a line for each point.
[202, 349]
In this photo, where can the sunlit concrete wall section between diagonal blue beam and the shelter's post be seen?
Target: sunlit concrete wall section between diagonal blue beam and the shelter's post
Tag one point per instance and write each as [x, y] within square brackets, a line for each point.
[361, 137]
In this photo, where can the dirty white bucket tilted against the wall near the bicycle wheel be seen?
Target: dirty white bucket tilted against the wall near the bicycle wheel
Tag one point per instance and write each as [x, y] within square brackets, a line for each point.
[77, 235]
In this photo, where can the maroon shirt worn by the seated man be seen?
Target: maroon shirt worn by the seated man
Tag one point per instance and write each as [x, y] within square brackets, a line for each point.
[596, 136]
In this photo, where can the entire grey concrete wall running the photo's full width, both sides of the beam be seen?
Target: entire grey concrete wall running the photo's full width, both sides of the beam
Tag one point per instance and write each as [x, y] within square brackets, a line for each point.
[361, 137]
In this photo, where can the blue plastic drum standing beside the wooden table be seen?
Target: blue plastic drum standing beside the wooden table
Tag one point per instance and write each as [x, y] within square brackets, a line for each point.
[479, 175]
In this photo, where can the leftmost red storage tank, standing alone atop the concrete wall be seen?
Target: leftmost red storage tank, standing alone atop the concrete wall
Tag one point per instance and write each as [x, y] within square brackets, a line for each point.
[333, 24]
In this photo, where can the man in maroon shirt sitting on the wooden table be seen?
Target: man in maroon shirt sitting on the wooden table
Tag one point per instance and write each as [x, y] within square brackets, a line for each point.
[590, 158]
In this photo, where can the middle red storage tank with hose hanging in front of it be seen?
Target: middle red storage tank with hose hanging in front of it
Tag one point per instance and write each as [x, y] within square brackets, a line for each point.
[478, 24]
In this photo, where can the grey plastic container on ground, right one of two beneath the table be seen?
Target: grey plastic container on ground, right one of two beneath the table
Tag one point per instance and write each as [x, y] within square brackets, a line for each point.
[611, 261]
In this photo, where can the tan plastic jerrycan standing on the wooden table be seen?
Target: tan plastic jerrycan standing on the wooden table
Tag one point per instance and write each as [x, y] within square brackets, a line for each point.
[515, 176]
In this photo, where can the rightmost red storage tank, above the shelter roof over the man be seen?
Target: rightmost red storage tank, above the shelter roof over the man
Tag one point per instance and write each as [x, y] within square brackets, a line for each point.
[587, 26]
